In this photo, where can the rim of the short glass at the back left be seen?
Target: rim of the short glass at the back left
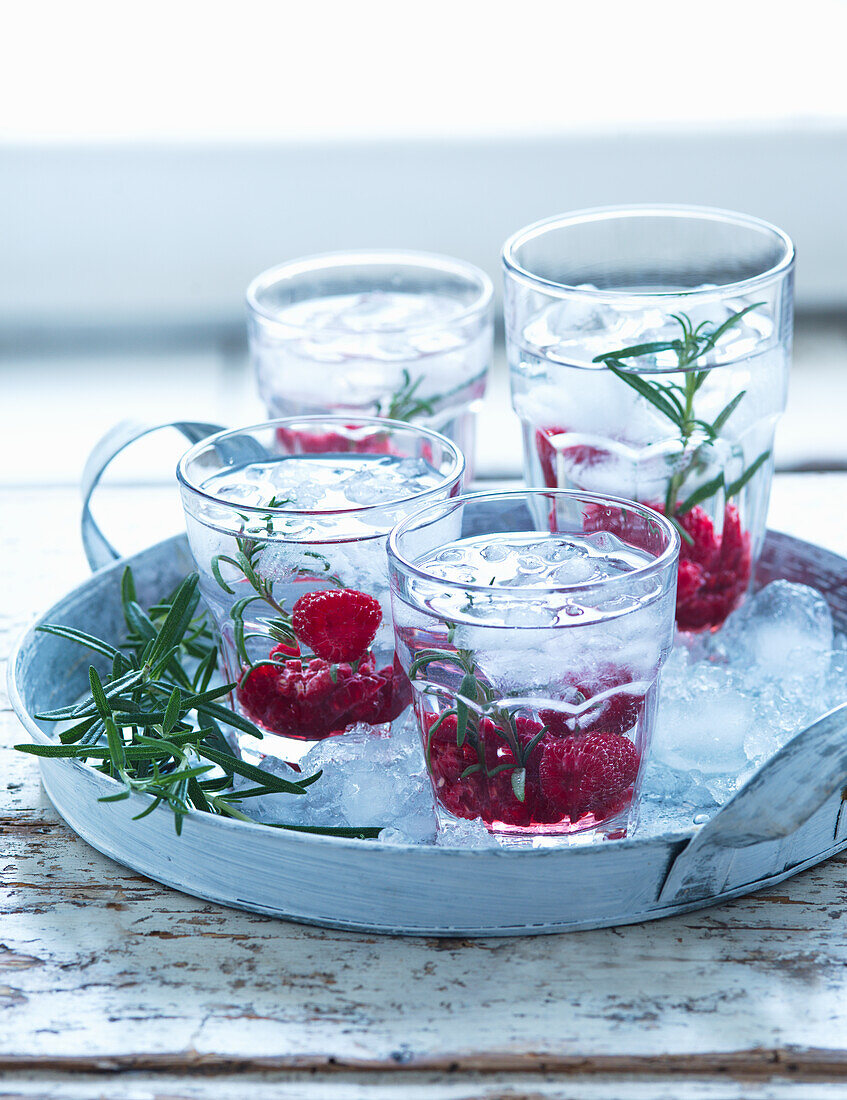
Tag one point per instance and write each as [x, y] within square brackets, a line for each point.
[359, 258]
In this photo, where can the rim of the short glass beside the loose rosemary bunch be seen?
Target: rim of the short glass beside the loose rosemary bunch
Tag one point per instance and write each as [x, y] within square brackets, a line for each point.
[340, 422]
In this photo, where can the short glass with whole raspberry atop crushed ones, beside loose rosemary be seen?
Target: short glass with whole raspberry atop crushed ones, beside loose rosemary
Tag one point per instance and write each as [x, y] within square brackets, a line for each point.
[291, 547]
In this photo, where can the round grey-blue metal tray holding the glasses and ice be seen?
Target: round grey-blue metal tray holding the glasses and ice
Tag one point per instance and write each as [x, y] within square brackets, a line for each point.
[788, 818]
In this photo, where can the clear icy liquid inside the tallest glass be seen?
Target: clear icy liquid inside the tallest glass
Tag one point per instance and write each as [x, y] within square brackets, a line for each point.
[585, 428]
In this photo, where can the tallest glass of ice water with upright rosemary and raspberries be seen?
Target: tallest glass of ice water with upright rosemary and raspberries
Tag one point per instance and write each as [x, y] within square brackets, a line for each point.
[650, 353]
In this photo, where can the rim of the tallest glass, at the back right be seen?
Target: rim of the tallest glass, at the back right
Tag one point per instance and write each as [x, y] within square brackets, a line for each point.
[515, 269]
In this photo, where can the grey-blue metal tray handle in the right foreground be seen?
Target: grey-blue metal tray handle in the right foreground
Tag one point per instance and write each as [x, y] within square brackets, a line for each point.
[776, 802]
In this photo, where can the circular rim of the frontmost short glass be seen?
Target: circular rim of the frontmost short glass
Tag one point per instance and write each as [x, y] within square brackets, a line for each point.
[661, 563]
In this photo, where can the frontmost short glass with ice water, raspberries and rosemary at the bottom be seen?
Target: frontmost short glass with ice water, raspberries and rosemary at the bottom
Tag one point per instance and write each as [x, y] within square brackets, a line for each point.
[533, 626]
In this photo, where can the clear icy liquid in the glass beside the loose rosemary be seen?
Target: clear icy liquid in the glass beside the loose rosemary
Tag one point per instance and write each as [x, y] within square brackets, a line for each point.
[292, 556]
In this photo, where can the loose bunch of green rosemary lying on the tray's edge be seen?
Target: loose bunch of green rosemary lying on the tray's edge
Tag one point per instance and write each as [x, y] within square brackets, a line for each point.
[153, 723]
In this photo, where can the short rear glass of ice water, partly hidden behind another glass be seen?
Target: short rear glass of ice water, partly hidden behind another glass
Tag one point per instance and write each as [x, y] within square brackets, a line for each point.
[397, 335]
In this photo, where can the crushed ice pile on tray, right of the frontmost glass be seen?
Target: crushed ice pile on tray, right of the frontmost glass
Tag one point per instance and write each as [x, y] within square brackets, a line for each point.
[730, 701]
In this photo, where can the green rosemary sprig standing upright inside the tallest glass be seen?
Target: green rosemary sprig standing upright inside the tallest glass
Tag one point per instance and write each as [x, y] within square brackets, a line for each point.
[677, 403]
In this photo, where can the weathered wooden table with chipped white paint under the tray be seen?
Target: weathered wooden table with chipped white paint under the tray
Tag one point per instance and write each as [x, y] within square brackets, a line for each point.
[113, 986]
